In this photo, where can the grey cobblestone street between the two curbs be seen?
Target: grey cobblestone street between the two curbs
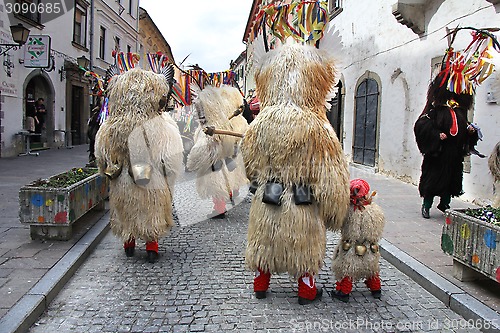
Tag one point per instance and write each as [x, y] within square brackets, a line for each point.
[199, 284]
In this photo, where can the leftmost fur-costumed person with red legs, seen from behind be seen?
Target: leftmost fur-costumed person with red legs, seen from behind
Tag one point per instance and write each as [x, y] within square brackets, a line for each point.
[140, 148]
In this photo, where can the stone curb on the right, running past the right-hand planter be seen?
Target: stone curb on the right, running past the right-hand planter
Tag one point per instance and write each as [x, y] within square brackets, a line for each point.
[452, 296]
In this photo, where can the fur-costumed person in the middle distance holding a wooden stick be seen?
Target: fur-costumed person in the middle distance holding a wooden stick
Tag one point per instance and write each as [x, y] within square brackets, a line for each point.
[216, 159]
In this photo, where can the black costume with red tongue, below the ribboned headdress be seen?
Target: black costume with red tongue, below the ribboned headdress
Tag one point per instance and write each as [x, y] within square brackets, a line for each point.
[442, 167]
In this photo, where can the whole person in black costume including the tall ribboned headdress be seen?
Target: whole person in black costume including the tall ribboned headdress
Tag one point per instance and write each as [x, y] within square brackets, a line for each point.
[442, 132]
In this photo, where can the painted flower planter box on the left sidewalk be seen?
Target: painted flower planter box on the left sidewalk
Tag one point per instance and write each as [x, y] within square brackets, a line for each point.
[51, 212]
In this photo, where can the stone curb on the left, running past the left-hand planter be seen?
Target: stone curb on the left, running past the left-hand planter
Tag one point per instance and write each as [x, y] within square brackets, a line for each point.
[32, 305]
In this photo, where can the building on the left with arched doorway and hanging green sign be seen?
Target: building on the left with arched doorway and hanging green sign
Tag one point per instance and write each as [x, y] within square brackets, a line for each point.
[74, 29]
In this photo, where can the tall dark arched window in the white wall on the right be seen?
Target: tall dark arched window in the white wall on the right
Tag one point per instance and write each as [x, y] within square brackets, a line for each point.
[365, 128]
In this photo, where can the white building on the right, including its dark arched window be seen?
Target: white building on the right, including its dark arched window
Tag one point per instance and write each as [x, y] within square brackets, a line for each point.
[391, 52]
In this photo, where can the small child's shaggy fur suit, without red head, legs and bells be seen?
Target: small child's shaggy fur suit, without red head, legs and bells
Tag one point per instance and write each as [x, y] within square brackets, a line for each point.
[362, 226]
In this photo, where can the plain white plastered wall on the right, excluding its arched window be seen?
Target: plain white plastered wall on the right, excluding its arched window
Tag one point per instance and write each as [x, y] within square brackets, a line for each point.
[377, 43]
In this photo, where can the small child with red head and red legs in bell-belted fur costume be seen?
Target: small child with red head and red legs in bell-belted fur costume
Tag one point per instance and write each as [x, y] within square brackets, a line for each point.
[357, 254]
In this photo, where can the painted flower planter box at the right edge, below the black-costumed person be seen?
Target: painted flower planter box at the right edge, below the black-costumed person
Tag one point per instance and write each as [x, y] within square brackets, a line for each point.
[473, 244]
